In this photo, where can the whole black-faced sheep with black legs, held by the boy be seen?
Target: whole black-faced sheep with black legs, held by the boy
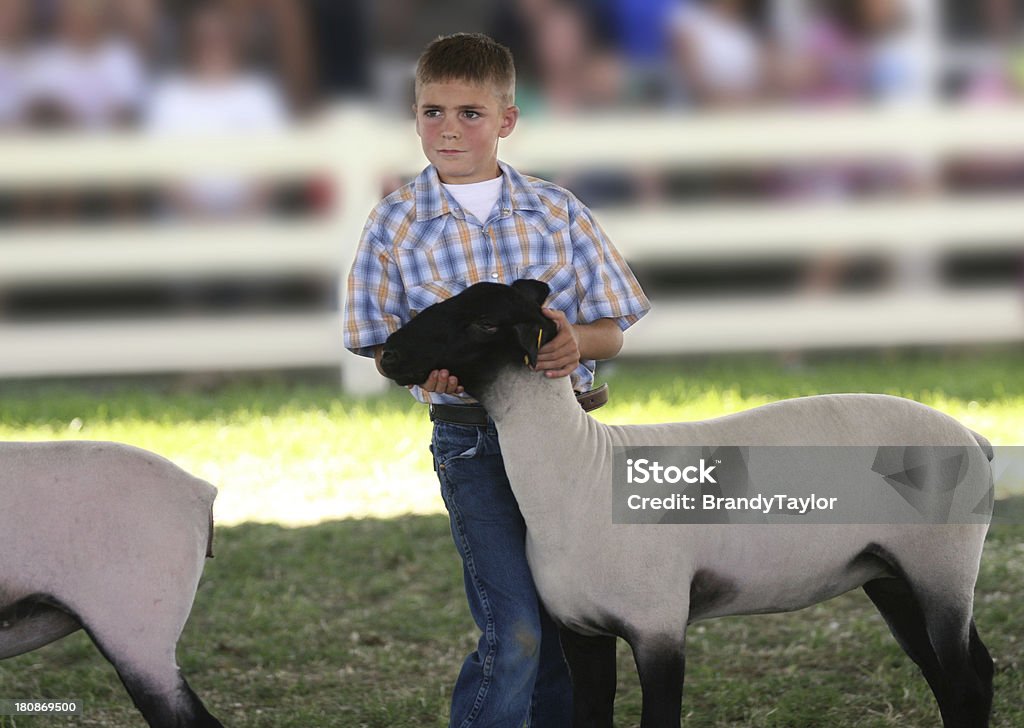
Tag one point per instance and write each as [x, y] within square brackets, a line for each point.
[646, 584]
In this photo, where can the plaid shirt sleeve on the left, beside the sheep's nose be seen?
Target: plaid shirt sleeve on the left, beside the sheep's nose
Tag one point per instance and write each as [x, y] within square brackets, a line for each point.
[374, 296]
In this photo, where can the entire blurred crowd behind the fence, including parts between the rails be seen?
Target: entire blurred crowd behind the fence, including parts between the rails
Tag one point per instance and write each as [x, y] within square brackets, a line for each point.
[178, 67]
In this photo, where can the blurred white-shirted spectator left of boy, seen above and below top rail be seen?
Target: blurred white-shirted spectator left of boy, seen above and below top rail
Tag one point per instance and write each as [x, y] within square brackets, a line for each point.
[217, 95]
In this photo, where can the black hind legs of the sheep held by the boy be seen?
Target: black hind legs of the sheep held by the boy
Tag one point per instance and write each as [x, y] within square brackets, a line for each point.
[946, 646]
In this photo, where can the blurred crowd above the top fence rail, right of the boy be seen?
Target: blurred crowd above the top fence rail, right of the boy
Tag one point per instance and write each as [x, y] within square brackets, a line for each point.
[586, 55]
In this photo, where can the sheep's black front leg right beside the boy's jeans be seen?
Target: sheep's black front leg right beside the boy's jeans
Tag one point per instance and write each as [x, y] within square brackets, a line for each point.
[592, 667]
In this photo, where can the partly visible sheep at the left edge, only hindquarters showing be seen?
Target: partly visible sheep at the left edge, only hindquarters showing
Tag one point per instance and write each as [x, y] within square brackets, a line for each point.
[110, 539]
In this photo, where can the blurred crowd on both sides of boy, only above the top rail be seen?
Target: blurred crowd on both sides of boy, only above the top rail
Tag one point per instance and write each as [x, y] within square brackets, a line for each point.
[192, 64]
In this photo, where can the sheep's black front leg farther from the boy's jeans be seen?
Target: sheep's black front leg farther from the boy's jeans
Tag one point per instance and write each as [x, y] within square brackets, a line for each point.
[662, 666]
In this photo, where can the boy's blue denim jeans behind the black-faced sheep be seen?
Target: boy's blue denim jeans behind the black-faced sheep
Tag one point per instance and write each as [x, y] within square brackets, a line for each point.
[518, 674]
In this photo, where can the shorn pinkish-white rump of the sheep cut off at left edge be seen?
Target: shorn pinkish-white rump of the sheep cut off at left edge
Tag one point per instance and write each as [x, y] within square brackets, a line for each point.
[80, 522]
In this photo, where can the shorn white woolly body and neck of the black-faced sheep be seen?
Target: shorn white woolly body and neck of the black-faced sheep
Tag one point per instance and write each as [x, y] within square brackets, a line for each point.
[592, 574]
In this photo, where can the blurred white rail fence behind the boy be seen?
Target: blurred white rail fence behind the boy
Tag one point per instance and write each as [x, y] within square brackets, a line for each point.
[355, 150]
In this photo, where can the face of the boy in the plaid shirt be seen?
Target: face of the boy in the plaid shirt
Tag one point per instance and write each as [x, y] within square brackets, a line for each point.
[459, 124]
